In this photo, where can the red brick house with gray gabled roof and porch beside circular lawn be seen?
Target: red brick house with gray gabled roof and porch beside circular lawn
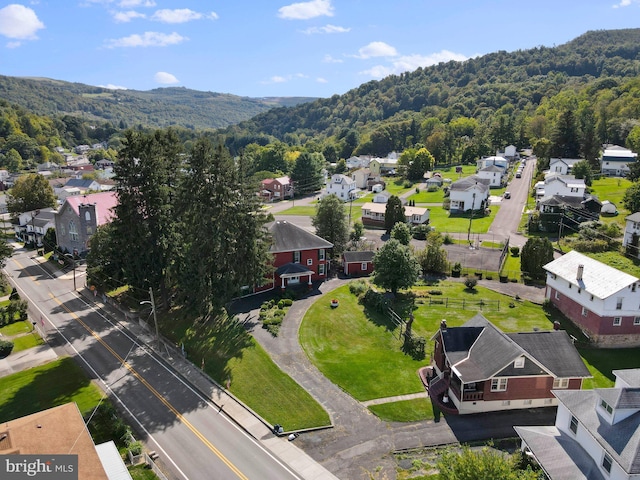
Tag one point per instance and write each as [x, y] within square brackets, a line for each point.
[478, 368]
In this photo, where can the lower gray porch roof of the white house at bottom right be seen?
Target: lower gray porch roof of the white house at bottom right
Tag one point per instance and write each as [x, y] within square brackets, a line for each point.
[559, 455]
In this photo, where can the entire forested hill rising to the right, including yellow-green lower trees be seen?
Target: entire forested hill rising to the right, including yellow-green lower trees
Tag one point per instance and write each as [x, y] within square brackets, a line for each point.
[460, 110]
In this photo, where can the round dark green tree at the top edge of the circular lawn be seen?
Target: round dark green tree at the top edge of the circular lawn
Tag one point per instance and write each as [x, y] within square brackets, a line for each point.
[395, 267]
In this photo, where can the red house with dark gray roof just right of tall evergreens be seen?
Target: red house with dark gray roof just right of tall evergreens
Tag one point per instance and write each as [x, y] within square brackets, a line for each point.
[299, 257]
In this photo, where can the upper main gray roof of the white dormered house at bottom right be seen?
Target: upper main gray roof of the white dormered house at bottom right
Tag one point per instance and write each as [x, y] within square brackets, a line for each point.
[621, 440]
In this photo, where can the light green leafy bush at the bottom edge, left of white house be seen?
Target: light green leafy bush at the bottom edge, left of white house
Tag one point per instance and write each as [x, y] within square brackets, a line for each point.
[485, 464]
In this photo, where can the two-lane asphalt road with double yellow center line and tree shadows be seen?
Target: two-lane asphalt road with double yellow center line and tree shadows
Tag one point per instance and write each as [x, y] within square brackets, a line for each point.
[193, 438]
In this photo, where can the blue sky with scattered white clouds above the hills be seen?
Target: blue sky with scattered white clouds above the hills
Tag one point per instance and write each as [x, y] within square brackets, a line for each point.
[266, 48]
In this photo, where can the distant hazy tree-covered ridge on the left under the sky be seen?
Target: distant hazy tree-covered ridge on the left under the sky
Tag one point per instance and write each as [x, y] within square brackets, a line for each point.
[160, 107]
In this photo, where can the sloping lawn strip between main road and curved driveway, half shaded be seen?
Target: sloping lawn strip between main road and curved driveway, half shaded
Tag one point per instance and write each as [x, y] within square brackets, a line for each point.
[233, 358]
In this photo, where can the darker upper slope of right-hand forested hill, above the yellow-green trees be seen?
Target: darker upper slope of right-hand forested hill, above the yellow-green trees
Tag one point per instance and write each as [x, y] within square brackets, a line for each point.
[502, 82]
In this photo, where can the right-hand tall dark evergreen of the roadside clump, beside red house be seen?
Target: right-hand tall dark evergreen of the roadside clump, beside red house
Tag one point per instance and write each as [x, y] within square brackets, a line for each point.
[225, 244]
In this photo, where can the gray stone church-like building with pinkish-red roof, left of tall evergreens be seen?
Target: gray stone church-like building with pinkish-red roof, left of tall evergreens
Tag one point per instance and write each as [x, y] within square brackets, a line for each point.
[79, 217]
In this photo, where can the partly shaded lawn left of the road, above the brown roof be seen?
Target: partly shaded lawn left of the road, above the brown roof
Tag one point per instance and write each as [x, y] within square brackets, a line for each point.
[50, 385]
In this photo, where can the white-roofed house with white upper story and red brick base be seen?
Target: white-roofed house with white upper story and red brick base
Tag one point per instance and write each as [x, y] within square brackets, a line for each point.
[602, 301]
